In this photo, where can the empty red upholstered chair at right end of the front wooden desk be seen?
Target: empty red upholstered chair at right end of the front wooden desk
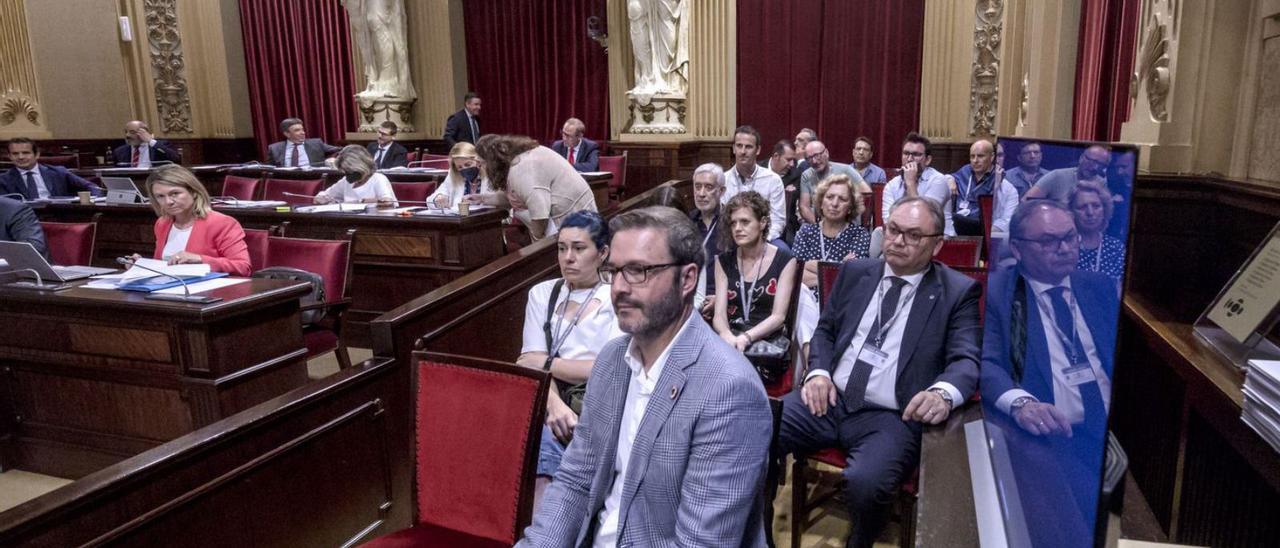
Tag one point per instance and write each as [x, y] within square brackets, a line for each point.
[331, 259]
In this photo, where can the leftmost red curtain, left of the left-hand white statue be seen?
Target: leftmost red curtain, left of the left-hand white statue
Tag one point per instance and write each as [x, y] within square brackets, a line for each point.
[299, 62]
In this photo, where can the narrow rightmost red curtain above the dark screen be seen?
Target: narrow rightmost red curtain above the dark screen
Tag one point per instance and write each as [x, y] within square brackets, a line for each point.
[1109, 36]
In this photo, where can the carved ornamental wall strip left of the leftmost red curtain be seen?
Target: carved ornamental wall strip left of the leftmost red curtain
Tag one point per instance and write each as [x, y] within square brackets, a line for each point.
[173, 102]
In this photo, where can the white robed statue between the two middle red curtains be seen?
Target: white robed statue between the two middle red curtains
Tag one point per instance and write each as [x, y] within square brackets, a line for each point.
[660, 40]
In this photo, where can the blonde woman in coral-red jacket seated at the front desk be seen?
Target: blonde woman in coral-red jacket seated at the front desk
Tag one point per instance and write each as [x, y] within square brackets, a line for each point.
[189, 231]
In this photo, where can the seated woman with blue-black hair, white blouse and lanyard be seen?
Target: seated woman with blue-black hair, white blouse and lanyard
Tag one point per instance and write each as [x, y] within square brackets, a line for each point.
[566, 341]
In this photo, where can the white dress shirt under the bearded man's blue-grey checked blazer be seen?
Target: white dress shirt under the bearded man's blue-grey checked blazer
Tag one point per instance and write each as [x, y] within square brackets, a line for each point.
[642, 387]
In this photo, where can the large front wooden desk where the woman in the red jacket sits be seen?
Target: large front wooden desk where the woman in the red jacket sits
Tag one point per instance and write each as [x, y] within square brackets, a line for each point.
[93, 377]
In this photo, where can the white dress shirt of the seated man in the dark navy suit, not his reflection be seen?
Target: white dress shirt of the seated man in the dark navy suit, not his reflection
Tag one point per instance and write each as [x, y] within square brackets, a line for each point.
[881, 387]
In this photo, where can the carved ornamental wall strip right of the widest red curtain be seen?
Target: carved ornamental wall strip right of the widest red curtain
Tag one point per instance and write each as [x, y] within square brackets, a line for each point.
[986, 67]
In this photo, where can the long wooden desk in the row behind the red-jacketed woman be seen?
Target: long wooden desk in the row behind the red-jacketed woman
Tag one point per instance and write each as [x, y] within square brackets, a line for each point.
[396, 259]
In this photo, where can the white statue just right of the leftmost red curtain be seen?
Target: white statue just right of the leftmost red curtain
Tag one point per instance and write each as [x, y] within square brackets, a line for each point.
[380, 31]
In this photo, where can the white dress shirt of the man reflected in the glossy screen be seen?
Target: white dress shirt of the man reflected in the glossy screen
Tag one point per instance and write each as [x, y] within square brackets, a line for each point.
[1067, 398]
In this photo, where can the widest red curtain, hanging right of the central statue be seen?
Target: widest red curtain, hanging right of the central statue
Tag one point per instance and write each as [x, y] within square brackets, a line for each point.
[840, 67]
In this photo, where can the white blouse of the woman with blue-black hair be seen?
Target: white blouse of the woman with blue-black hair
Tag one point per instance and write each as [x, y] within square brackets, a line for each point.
[583, 341]
